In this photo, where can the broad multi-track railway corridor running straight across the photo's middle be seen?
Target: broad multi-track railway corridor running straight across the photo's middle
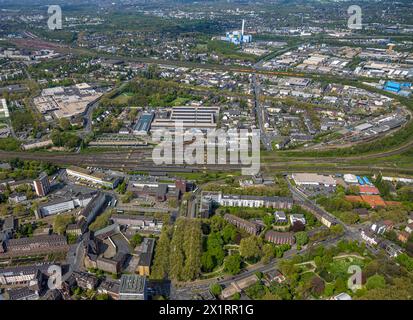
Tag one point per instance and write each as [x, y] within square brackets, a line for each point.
[140, 160]
